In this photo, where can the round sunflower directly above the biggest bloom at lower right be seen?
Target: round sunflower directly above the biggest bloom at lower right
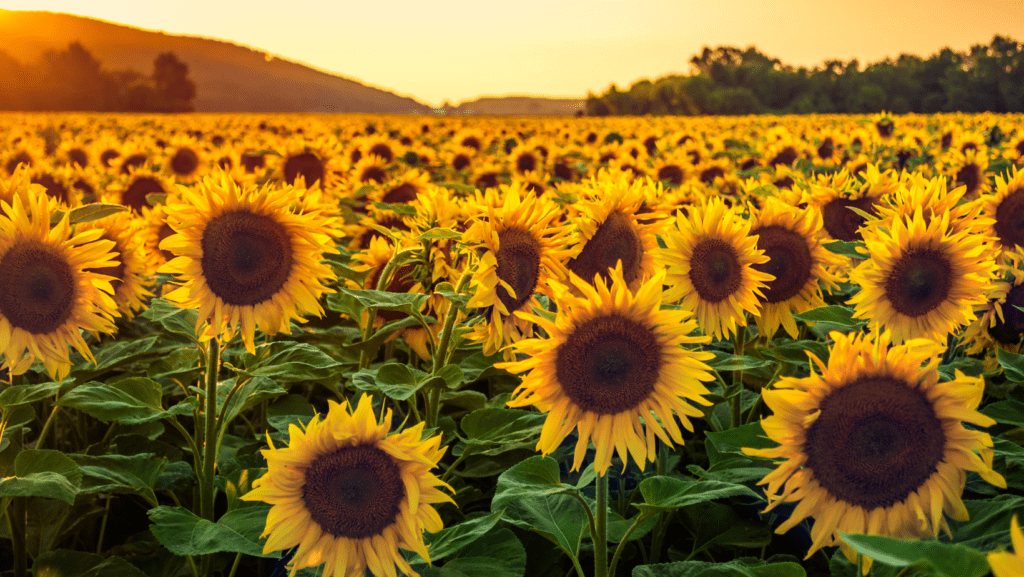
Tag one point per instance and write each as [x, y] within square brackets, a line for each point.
[922, 279]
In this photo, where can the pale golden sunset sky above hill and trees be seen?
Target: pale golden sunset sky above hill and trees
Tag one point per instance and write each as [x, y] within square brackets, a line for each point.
[460, 50]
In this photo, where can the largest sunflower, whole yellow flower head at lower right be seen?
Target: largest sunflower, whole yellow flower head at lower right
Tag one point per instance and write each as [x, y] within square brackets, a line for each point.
[876, 444]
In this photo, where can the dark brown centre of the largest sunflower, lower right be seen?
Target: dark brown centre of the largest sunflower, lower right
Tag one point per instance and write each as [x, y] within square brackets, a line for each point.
[876, 442]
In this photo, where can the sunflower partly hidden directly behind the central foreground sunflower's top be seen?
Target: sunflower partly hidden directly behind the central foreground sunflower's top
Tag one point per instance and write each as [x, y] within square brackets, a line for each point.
[610, 232]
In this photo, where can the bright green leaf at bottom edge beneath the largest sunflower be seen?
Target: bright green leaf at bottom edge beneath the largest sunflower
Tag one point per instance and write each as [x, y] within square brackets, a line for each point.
[944, 560]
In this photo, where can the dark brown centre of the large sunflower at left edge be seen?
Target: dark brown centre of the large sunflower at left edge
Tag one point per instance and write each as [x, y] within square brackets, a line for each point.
[37, 287]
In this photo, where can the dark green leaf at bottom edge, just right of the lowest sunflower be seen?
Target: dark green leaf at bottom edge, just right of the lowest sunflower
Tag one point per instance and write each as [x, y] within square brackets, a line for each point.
[499, 554]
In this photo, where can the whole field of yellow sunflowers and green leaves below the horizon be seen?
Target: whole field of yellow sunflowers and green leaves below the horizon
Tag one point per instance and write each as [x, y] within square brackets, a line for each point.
[452, 347]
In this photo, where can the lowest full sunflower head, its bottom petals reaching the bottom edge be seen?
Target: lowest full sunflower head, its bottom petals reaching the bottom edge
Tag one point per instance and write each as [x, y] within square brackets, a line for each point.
[350, 496]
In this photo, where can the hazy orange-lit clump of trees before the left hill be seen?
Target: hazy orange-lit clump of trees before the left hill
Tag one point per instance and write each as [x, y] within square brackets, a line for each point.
[74, 80]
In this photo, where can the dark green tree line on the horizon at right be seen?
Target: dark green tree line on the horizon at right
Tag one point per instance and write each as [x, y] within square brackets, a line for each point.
[727, 80]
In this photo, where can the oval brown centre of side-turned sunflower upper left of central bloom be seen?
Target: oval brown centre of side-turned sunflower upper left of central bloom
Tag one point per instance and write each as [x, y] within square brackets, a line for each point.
[519, 265]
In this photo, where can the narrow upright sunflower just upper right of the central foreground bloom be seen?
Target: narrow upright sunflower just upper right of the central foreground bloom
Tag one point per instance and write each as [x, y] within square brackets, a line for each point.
[711, 259]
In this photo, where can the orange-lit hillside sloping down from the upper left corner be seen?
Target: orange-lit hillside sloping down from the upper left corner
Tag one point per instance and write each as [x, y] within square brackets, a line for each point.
[229, 77]
